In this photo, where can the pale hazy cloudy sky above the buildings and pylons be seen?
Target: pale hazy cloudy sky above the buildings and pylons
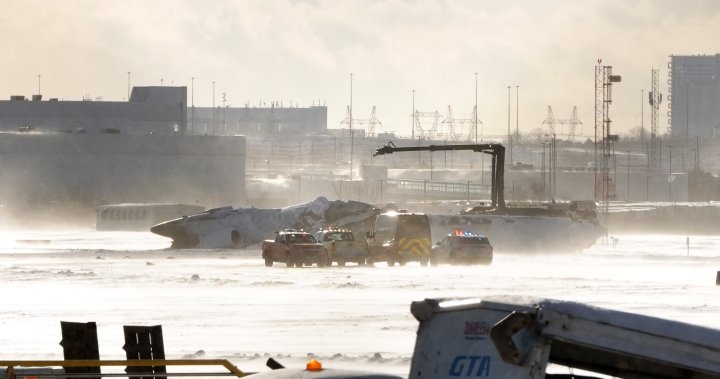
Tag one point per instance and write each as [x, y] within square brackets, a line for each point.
[304, 52]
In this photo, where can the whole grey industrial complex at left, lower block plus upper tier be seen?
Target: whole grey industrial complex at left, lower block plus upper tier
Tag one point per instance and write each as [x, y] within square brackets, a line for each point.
[68, 157]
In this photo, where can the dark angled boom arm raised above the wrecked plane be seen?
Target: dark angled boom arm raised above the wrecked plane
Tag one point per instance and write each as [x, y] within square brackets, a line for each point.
[496, 150]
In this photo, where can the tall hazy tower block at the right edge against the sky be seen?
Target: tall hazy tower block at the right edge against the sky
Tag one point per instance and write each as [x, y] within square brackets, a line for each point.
[694, 101]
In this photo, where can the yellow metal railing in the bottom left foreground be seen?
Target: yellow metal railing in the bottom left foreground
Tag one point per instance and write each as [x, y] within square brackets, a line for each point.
[40, 369]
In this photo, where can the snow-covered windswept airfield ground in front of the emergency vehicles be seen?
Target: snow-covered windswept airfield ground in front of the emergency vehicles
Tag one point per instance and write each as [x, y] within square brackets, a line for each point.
[226, 304]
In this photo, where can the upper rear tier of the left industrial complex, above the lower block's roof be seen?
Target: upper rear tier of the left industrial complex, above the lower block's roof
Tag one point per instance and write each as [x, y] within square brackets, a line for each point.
[156, 110]
